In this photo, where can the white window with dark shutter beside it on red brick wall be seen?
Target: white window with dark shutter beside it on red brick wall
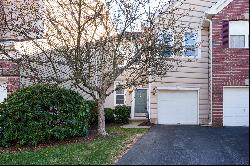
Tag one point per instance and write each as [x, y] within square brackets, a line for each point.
[239, 34]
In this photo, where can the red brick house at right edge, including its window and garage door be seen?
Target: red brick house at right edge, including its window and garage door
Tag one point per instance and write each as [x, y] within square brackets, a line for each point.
[230, 62]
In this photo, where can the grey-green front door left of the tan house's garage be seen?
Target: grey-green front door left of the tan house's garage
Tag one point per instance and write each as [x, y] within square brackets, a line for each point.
[140, 102]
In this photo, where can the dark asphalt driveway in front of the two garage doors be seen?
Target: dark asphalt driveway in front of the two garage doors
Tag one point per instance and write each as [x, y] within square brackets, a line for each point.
[164, 145]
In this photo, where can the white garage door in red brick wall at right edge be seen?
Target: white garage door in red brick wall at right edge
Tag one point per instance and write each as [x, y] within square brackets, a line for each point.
[236, 107]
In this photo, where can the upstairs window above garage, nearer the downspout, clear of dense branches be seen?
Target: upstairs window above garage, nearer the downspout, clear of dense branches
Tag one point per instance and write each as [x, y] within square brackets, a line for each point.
[190, 42]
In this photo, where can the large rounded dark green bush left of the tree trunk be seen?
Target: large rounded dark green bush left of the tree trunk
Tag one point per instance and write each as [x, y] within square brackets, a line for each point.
[40, 113]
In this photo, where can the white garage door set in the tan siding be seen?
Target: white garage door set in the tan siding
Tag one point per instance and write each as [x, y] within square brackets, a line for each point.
[177, 107]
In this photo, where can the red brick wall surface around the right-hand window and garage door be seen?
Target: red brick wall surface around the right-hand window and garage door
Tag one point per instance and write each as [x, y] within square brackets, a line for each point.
[230, 66]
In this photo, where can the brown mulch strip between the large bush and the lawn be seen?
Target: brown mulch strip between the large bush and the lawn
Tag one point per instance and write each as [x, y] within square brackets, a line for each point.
[16, 148]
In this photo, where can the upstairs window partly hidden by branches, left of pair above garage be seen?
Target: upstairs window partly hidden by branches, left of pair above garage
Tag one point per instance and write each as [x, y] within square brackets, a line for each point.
[166, 42]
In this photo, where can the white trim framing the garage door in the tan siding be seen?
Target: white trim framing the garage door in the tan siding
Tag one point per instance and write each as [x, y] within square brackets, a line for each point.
[183, 89]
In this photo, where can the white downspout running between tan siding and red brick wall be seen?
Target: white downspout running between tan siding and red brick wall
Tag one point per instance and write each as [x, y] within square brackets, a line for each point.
[211, 69]
